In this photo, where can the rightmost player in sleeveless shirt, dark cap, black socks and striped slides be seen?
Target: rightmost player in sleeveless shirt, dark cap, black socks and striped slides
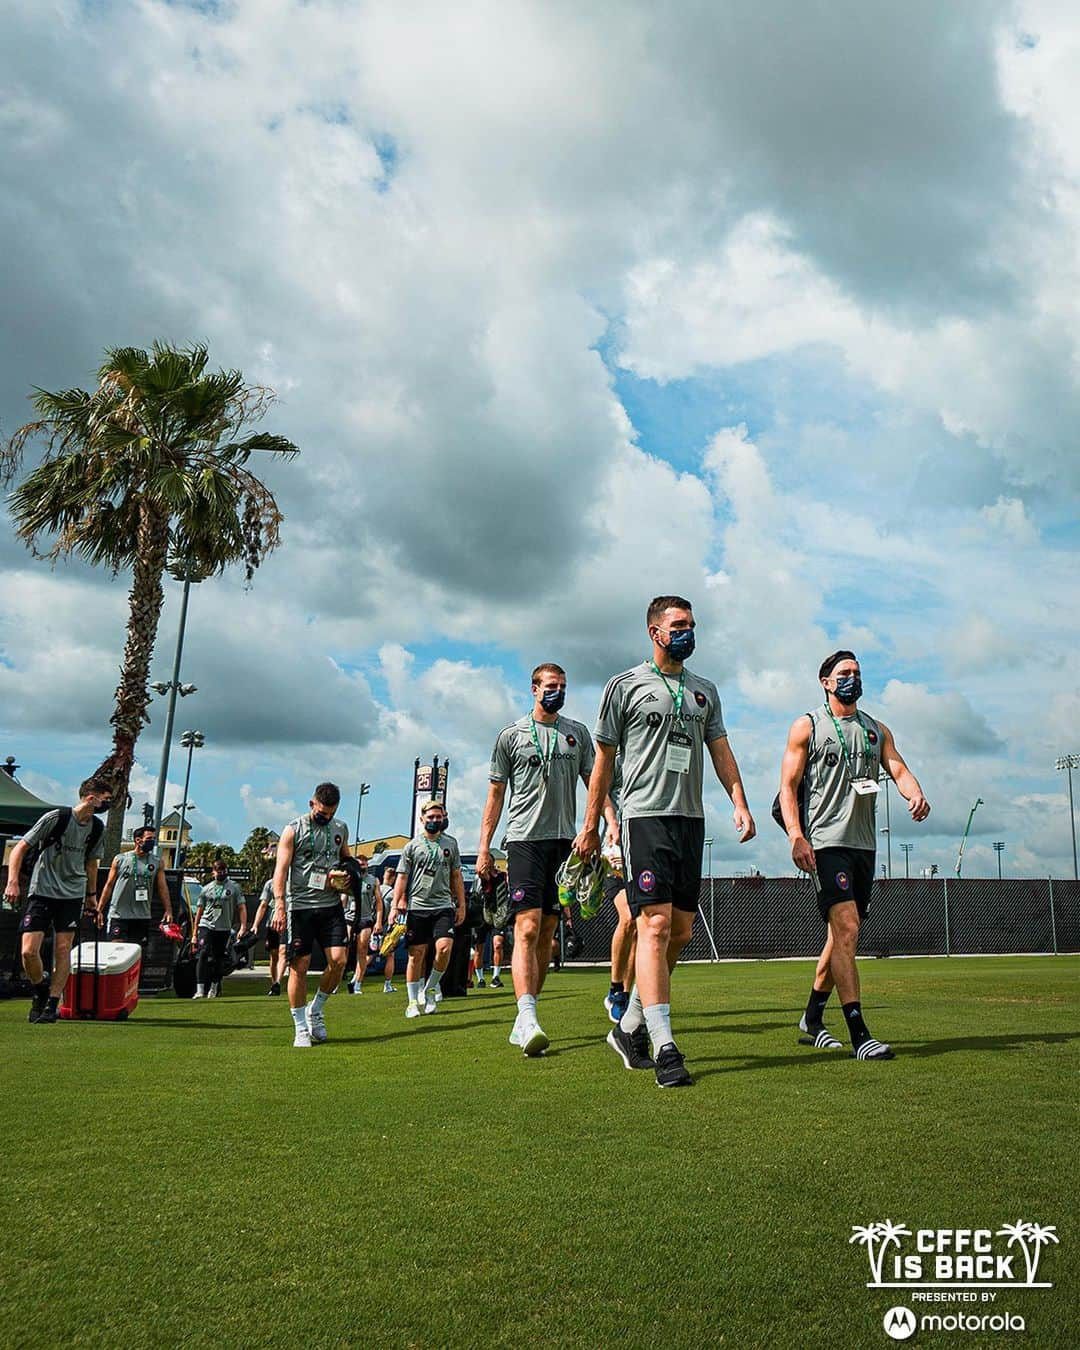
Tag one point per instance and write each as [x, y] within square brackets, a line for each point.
[835, 754]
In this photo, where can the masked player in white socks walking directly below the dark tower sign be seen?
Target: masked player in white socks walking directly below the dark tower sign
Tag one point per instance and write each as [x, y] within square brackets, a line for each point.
[430, 893]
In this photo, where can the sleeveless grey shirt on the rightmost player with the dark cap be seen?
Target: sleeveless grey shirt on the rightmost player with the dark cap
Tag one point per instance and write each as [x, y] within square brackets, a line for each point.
[838, 816]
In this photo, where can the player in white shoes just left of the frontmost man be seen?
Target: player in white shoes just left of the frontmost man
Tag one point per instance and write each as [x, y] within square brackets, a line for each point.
[541, 758]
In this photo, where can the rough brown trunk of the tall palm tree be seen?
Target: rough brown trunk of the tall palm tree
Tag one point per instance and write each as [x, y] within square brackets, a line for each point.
[133, 696]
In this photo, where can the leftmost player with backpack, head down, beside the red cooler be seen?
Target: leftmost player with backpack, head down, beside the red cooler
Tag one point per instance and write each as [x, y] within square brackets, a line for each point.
[63, 884]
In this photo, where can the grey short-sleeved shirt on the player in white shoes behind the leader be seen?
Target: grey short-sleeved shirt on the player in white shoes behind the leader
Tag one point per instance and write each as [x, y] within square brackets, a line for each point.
[543, 778]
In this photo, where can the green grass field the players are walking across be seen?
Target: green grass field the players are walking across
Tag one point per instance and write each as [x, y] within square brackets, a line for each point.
[188, 1179]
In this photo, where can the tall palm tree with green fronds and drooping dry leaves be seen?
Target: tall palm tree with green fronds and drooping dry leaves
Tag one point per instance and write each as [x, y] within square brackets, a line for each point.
[149, 472]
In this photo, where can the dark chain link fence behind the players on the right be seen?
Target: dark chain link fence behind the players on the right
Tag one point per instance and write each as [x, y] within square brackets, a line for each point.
[769, 917]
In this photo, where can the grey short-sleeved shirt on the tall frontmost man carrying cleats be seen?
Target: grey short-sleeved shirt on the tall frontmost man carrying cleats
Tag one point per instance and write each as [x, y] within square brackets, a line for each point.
[638, 715]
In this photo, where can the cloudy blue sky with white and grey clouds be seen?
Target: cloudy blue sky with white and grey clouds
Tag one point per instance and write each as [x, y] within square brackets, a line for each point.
[769, 304]
